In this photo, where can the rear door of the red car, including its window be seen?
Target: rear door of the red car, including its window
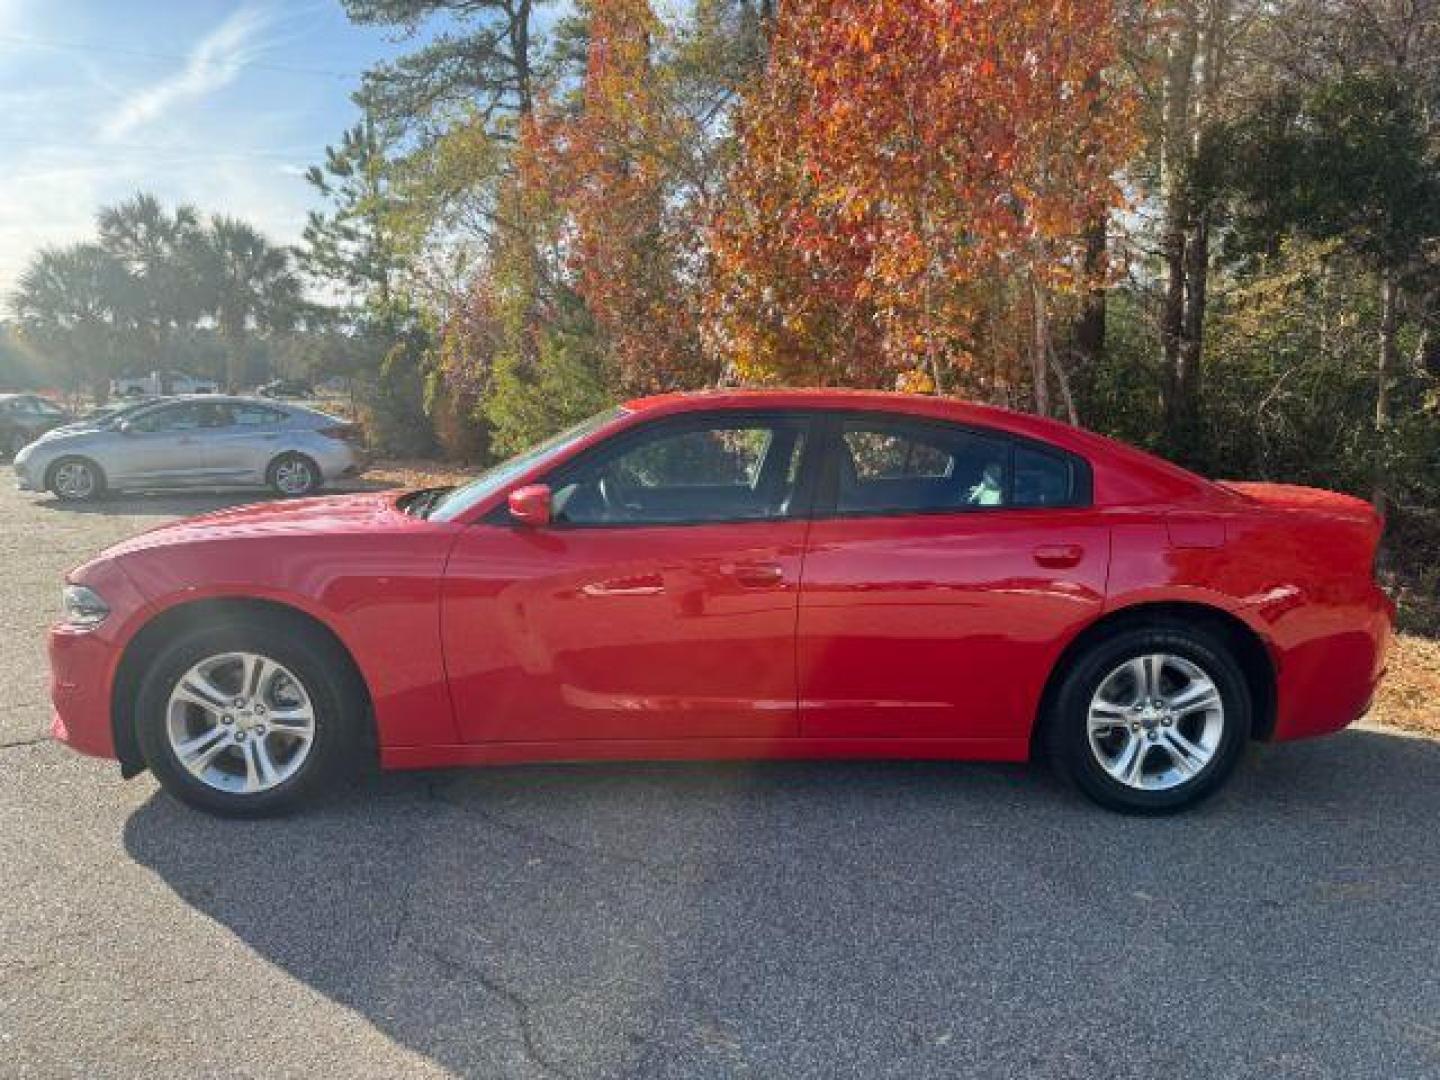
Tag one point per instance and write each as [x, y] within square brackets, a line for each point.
[945, 571]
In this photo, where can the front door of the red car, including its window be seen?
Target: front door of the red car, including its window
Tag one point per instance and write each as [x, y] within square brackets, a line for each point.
[660, 606]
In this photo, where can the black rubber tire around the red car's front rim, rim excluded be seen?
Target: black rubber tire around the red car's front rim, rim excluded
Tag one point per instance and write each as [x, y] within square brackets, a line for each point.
[320, 666]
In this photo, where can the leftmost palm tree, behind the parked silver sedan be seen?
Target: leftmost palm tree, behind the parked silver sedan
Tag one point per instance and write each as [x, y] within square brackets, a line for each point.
[81, 303]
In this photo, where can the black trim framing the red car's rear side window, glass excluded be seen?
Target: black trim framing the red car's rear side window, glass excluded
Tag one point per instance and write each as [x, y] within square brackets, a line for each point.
[827, 493]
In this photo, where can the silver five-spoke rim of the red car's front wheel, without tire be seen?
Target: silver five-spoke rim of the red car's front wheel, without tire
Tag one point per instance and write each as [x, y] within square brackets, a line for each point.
[241, 722]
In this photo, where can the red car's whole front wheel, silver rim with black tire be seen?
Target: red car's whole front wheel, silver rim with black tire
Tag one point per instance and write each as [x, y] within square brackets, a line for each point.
[247, 719]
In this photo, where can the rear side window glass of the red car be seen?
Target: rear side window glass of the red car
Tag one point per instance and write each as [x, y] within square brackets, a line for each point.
[914, 467]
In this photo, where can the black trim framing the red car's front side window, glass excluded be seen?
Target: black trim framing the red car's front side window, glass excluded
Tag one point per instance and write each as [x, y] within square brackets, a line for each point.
[811, 423]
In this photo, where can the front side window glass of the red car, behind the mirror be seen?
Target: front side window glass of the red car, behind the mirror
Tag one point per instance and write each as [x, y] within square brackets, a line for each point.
[688, 473]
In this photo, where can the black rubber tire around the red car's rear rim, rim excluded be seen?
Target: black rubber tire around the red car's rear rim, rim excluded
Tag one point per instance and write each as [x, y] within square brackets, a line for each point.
[1068, 731]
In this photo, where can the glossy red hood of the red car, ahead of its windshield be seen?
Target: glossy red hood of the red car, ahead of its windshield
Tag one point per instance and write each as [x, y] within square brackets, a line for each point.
[326, 515]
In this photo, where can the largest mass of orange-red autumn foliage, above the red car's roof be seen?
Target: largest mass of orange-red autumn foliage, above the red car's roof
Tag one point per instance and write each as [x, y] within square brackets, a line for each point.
[898, 161]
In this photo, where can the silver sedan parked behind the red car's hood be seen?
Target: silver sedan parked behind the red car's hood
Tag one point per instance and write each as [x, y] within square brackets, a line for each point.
[202, 441]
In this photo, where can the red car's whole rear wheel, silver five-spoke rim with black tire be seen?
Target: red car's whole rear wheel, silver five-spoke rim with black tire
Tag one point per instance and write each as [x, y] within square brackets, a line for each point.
[1153, 719]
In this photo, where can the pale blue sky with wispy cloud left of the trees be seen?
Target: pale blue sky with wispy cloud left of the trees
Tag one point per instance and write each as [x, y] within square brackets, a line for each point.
[217, 104]
